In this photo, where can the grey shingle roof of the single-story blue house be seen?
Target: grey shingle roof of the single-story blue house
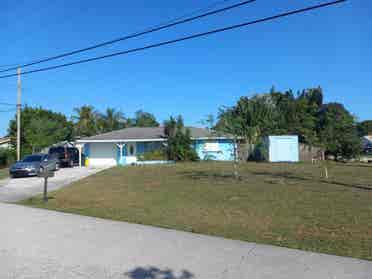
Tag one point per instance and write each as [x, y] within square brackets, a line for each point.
[144, 133]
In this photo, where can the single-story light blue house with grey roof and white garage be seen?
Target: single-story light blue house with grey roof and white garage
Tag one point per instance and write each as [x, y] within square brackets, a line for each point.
[123, 147]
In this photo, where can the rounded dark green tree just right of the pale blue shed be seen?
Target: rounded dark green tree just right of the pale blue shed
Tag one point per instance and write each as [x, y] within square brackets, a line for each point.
[338, 133]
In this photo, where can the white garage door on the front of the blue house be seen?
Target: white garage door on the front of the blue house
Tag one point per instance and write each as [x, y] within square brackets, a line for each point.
[102, 154]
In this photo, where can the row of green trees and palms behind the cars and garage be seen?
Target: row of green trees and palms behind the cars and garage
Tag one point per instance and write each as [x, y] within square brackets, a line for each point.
[41, 128]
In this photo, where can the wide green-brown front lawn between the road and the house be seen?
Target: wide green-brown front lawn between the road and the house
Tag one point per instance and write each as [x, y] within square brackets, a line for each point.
[282, 204]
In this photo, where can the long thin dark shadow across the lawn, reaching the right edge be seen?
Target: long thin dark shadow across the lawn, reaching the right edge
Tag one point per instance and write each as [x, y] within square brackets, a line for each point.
[288, 175]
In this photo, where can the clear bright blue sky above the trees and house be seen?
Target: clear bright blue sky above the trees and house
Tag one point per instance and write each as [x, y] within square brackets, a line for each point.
[330, 47]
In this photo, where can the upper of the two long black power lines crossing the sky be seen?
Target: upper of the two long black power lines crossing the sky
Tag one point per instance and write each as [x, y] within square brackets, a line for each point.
[134, 35]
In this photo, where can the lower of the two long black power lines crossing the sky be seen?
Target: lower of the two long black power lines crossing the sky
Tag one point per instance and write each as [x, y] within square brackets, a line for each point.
[198, 35]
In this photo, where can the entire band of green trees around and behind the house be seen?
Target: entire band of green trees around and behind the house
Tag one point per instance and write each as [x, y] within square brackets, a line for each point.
[304, 113]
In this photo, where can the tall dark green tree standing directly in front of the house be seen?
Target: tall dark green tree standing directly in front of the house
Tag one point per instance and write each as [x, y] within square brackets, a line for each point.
[179, 143]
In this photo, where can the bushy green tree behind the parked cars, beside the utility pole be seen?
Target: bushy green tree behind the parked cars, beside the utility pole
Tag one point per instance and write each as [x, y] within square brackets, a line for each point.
[40, 128]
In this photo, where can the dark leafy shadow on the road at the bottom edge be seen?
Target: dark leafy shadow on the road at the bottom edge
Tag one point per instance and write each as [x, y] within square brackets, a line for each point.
[156, 273]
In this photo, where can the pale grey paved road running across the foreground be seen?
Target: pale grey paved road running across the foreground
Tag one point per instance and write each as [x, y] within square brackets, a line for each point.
[37, 243]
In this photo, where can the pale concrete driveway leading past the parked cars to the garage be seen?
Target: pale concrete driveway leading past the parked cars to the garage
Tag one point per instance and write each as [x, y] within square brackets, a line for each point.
[13, 190]
